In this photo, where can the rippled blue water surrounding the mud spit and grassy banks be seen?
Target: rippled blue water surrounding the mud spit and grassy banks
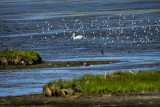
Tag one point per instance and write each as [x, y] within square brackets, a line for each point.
[126, 30]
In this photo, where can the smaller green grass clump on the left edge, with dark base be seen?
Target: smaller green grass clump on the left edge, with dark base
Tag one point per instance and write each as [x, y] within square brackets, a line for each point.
[19, 57]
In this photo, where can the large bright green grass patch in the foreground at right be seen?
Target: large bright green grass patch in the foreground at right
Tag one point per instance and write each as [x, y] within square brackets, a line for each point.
[118, 81]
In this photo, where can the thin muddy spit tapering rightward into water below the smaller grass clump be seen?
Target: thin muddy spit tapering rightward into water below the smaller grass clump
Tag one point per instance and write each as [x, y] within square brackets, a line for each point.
[53, 64]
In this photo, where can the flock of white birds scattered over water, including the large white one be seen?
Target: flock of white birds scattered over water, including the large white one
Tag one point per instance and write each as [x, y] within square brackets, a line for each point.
[114, 30]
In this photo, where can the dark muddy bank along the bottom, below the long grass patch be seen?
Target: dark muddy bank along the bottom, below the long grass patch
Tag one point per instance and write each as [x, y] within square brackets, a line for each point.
[111, 99]
